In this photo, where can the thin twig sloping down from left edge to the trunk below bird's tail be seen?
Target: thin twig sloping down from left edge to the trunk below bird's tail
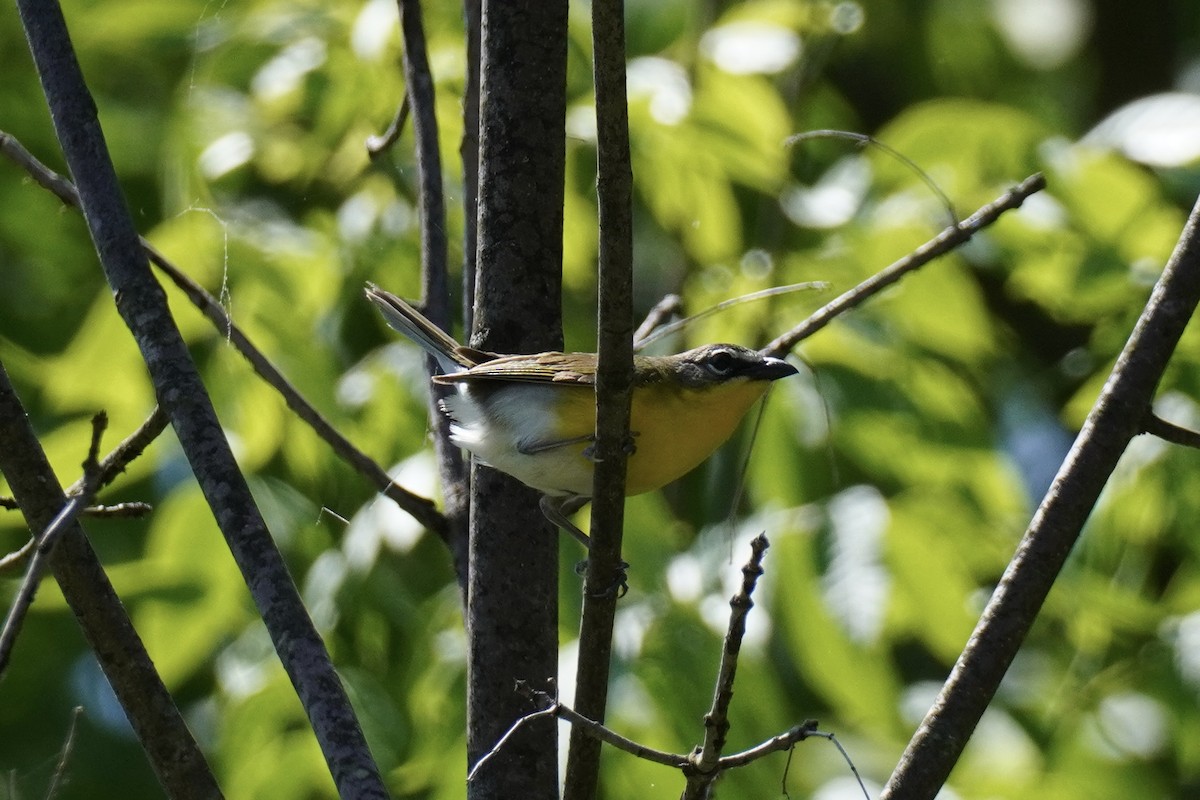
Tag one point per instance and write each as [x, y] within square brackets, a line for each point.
[422, 509]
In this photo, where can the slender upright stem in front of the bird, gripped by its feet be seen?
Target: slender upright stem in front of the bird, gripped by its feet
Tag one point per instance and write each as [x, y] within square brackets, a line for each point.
[615, 377]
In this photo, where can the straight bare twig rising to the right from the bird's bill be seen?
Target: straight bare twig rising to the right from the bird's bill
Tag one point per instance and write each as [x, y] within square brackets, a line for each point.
[940, 245]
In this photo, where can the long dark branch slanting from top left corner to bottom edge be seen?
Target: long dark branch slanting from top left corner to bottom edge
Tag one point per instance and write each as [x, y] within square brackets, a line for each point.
[143, 306]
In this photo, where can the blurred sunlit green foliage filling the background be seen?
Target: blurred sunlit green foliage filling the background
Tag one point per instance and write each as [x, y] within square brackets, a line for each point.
[895, 478]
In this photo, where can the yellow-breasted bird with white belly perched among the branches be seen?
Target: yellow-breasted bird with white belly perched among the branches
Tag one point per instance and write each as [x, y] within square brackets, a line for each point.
[533, 417]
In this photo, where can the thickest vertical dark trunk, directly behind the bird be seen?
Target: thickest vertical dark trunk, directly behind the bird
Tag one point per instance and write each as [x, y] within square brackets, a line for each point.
[513, 598]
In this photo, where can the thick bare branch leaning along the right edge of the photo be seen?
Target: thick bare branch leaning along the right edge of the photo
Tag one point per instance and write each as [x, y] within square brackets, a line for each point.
[1115, 419]
